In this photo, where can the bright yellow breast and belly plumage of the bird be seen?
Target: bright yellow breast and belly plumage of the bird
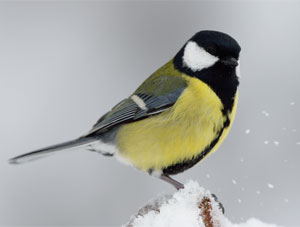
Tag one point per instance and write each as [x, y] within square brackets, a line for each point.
[176, 135]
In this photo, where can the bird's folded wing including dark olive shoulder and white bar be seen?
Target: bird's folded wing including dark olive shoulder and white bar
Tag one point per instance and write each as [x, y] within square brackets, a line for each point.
[154, 96]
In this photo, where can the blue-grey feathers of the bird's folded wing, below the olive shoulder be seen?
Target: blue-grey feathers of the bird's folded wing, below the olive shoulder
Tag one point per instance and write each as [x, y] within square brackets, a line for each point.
[128, 110]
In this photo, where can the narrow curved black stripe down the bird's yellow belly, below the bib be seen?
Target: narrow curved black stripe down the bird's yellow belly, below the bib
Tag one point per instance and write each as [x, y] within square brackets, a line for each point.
[180, 167]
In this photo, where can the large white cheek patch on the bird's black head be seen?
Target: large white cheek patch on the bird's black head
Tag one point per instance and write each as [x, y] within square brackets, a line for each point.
[196, 58]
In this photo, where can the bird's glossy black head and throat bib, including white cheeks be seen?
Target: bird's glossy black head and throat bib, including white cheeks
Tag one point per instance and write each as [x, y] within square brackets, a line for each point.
[212, 57]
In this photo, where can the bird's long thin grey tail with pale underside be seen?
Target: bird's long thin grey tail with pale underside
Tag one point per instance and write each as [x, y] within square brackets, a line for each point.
[44, 152]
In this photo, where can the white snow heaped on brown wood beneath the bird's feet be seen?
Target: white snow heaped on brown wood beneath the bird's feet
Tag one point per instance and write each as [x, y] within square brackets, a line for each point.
[185, 208]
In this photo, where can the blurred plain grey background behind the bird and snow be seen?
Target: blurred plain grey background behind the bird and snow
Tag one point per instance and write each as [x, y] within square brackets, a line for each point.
[63, 65]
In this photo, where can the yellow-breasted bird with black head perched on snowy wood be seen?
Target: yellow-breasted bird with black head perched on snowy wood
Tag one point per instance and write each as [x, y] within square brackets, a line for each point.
[175, 118]
